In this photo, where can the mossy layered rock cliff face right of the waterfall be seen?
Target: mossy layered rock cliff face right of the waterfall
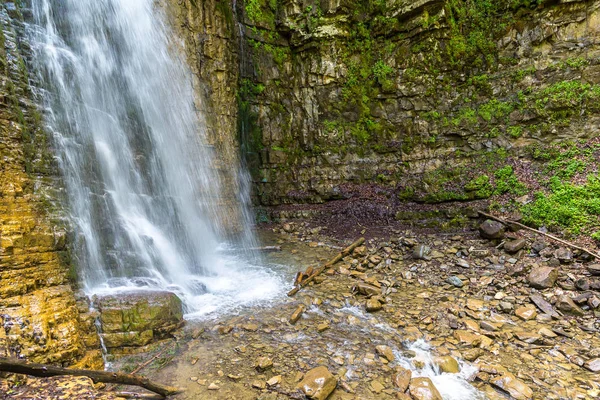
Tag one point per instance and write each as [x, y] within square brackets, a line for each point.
[426, 98]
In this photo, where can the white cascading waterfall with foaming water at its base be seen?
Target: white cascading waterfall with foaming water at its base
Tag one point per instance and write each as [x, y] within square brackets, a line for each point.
[138, 169]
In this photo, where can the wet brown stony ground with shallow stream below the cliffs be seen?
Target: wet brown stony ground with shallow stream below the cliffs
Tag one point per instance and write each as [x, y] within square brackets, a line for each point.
[514, 315]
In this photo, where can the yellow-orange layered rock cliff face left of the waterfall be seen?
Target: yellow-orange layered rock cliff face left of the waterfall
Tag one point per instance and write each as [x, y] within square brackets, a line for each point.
[41, 317]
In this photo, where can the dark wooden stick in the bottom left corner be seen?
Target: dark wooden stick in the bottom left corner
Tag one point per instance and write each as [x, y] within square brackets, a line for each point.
[41, 370]
